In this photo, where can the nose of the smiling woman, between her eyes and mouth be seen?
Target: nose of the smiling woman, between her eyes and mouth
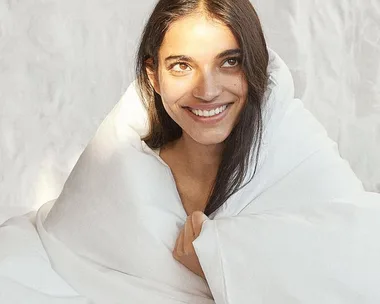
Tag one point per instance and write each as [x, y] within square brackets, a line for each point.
[207, 87]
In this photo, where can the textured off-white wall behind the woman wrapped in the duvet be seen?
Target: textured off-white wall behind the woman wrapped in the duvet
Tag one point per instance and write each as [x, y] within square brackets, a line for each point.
[64, 65]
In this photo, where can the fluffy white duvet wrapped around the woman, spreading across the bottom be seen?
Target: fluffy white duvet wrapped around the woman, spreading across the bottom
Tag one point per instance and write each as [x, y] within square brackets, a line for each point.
[302, 231]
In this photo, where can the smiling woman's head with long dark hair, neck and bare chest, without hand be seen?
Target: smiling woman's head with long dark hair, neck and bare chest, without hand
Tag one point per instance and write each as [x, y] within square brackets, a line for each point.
[202, 70]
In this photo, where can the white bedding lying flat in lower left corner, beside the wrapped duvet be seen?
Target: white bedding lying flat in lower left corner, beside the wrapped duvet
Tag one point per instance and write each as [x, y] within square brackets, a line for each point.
[25, 272]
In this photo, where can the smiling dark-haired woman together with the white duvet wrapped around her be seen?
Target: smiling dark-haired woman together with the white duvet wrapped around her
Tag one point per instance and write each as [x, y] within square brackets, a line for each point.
[232, 177]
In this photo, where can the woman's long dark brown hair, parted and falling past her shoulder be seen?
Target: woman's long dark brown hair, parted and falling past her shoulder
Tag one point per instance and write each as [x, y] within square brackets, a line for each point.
[243, 144]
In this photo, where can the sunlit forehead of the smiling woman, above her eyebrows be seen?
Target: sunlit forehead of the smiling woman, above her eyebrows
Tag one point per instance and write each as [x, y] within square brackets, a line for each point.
[198, 37]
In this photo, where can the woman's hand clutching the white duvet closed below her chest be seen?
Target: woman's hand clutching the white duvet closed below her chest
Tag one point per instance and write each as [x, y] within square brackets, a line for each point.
[184, 251]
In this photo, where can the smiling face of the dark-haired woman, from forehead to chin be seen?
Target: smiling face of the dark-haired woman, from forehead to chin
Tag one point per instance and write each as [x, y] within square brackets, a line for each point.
[200, 78]
